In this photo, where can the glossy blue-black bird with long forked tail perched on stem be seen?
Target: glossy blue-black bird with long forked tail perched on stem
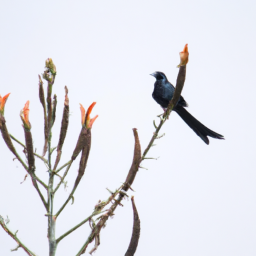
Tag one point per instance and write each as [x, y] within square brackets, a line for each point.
[163, 93]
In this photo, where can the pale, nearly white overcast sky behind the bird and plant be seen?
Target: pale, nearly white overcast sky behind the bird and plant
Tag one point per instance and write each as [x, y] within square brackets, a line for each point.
[195, 200]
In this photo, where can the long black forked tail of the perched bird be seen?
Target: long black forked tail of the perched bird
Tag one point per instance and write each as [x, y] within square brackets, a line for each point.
[201, 130]
